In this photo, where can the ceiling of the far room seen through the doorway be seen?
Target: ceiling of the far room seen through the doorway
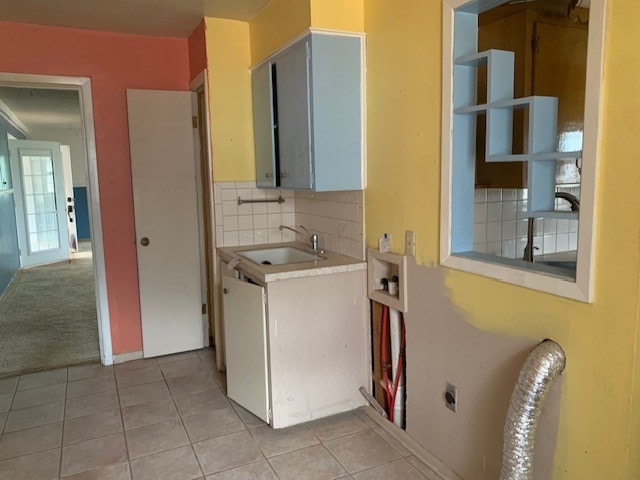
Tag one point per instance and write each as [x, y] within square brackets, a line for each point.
[43, 108]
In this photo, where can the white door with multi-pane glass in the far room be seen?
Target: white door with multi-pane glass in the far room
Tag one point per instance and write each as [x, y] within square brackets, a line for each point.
[38, 182]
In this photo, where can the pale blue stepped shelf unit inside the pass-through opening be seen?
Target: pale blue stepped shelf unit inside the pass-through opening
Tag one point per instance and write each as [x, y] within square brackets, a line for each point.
[541, 152]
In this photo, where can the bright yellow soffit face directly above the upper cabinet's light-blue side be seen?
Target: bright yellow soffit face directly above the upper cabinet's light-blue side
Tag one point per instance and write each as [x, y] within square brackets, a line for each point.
[347, 15]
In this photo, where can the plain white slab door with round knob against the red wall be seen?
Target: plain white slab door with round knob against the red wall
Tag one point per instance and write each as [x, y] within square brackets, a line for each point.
[166, 220]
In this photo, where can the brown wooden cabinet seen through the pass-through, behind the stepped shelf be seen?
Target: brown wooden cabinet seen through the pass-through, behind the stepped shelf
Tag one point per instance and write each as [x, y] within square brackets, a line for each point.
[550, 60]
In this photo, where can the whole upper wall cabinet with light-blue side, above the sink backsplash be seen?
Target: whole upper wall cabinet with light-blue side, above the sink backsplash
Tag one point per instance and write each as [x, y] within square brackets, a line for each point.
[308, 110]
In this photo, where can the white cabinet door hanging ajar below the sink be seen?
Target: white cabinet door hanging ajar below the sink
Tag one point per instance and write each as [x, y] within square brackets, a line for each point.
[246, 345]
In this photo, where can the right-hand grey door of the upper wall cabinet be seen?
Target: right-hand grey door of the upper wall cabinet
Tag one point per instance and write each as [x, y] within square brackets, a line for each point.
[292, 79]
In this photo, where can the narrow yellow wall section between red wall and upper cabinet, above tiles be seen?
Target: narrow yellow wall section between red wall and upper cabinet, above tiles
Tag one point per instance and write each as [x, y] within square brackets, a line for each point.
[229, 59]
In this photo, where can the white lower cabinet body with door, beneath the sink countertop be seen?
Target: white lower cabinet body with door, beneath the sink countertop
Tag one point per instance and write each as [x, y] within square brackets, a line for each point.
[297, 348]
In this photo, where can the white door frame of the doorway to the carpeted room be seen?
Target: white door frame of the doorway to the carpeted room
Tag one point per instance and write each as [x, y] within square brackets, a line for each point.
[83, 86]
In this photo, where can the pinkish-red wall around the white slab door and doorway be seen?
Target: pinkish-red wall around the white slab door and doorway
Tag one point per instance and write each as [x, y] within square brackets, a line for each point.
[114, 62]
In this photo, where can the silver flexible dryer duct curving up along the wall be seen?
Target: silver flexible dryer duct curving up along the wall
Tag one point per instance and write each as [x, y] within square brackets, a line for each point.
[543, 365]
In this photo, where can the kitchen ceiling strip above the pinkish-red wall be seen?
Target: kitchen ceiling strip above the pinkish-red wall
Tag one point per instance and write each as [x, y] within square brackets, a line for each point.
[167, 18]
